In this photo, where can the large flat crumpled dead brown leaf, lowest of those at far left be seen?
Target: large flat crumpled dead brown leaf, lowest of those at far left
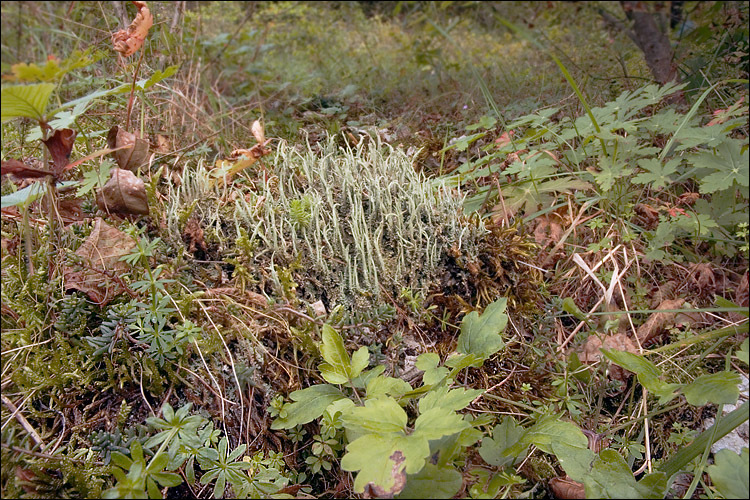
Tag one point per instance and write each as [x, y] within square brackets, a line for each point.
[96, 275]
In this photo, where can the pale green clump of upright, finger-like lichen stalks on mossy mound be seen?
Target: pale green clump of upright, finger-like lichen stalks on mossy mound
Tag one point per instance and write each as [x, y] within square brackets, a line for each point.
[360, 220]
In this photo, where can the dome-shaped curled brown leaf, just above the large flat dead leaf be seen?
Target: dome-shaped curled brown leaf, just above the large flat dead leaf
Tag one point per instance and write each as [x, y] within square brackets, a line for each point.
[123, 194]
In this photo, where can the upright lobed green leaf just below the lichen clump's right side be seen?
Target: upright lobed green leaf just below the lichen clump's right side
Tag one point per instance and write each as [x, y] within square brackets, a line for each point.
[480, 335]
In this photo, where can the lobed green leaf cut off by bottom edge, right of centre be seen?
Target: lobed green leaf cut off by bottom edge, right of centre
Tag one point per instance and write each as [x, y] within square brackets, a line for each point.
[611, 477]
